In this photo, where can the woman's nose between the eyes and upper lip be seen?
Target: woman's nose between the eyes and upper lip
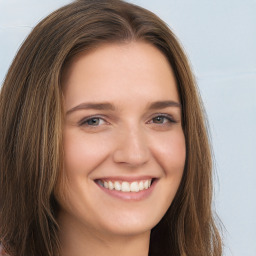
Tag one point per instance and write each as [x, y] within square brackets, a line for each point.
[131, 147]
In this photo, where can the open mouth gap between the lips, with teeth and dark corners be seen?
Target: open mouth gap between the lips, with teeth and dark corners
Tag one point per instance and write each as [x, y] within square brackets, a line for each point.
[126, 186]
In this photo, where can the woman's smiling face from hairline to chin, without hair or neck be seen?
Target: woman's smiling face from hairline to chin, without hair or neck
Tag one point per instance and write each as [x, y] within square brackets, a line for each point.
[124, 145]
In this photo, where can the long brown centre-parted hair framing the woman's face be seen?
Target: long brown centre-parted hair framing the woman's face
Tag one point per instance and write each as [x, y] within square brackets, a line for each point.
[31, 118]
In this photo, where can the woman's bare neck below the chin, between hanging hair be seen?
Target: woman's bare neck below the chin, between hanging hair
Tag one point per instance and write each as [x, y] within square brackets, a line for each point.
[82, 241]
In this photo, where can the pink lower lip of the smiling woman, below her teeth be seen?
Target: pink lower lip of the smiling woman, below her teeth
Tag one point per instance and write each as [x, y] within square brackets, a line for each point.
[130, 196]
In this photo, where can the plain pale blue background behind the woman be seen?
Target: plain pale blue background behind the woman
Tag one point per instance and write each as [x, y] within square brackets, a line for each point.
[219, 37]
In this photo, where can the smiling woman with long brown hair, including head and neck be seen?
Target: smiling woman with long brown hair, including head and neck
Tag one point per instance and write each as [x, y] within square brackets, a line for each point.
[104, 149]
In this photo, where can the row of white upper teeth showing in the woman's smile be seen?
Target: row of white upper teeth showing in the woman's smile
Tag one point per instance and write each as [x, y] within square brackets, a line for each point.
[125, 186]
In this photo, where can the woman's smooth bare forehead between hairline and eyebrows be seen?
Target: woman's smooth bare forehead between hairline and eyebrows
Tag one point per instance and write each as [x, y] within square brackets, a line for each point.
[120, 72]
